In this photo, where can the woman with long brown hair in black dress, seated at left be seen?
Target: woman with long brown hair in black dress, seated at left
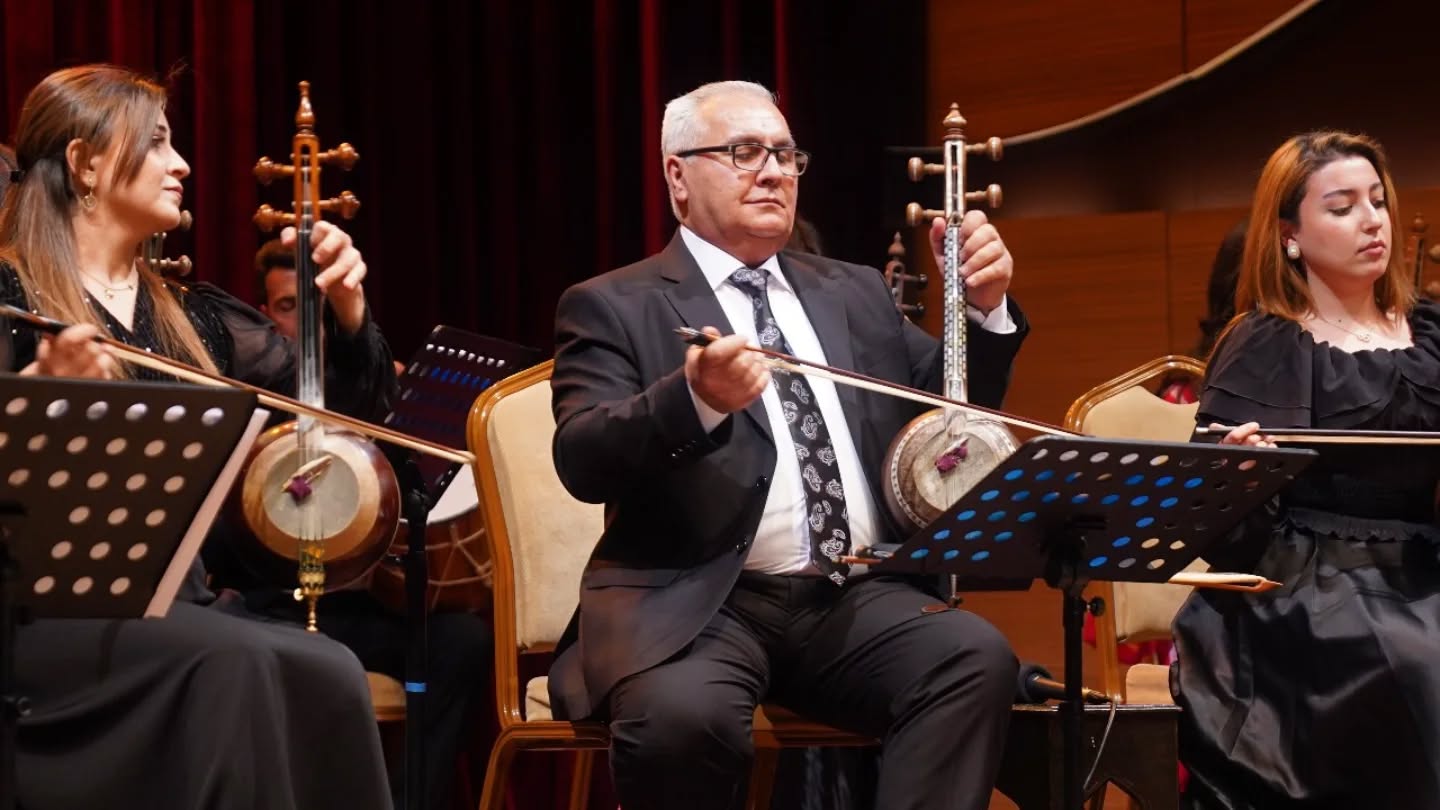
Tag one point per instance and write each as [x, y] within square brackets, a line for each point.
[208, 707]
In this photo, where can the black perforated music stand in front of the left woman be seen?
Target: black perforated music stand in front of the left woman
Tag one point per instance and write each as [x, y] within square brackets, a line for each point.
[107, 492]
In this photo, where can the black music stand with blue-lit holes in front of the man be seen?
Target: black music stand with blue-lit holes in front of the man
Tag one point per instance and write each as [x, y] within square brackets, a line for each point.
[1076, 509]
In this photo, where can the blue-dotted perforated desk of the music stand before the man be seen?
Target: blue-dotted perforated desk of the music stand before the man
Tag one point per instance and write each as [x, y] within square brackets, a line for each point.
[1138, 541]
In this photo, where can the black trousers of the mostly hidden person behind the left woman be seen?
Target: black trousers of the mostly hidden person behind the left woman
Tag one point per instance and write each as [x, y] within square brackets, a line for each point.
[460, 652]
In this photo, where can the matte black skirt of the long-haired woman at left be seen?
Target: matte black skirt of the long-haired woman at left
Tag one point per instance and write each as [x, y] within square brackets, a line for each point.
[208, 708]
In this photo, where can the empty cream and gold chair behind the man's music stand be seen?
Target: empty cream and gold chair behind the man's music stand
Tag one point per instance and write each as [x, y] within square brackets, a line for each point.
[1127, 409]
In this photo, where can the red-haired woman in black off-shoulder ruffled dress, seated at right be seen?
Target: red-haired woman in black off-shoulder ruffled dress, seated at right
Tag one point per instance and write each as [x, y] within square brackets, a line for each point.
[1324, 693]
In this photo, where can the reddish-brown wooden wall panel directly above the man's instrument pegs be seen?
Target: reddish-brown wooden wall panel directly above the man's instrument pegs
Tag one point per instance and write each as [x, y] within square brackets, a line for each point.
[1030, 64]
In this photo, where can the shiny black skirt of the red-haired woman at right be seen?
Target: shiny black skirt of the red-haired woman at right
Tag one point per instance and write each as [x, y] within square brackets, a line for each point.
[1324, 693]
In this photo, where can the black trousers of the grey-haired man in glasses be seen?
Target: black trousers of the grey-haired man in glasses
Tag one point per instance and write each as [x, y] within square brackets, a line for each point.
[873, 657]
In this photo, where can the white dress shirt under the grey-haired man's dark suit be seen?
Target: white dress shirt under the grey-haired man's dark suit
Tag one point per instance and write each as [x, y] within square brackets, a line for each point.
[783, 544]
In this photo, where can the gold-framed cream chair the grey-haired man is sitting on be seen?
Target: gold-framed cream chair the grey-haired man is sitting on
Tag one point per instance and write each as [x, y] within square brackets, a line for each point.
[541, 540]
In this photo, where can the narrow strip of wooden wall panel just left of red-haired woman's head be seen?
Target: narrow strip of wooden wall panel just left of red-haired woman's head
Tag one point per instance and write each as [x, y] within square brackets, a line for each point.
[1194, 237]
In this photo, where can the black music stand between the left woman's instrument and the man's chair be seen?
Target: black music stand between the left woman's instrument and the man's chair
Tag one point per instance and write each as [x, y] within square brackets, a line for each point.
[437, 390]
